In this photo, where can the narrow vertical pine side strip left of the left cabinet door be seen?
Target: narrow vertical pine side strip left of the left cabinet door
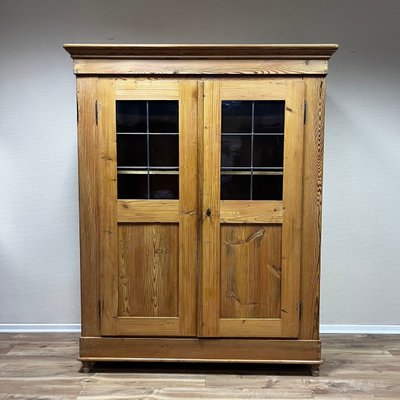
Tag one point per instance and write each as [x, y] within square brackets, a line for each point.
[88, 210]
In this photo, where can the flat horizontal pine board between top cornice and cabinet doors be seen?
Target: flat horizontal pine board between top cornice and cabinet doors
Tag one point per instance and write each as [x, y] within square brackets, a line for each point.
[197, 67]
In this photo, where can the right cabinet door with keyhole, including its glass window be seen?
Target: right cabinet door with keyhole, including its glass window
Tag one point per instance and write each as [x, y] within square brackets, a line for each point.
[251, 207]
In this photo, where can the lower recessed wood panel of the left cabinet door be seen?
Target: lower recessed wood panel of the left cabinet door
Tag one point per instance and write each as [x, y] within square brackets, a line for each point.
[148, 270]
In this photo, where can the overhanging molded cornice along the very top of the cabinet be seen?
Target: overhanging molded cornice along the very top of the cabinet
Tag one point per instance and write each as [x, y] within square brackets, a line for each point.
[196, 51]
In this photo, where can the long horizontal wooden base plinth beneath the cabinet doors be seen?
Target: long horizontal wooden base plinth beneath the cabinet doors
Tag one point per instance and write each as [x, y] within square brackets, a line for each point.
[266, 351]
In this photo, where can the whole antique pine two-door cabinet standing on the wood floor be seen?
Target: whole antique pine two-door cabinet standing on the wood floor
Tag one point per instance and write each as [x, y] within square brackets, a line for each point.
[200, 176]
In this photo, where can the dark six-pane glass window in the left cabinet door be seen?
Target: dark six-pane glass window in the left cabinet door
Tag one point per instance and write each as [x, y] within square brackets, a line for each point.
[147, 162]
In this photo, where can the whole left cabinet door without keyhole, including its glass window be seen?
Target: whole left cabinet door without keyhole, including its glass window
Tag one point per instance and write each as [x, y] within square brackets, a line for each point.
[148, 206]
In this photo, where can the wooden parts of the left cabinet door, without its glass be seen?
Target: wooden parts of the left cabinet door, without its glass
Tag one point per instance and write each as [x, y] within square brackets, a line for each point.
[149, 272]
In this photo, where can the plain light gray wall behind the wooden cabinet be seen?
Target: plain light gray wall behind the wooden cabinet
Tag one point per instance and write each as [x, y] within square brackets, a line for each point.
[39, 249]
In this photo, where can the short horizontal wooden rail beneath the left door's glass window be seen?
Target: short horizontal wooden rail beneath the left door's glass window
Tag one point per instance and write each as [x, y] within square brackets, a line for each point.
[148, 211]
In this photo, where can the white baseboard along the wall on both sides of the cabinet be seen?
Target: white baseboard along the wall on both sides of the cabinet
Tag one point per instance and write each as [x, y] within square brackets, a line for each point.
[76, 328]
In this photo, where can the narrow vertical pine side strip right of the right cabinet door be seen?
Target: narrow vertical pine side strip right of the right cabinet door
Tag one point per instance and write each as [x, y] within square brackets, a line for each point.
[312, 203]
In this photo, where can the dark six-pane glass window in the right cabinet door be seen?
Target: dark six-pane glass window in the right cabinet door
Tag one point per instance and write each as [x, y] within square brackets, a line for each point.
[252, 150]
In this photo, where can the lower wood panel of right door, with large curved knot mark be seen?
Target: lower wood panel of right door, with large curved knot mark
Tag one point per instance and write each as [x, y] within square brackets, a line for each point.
[251, 271]
